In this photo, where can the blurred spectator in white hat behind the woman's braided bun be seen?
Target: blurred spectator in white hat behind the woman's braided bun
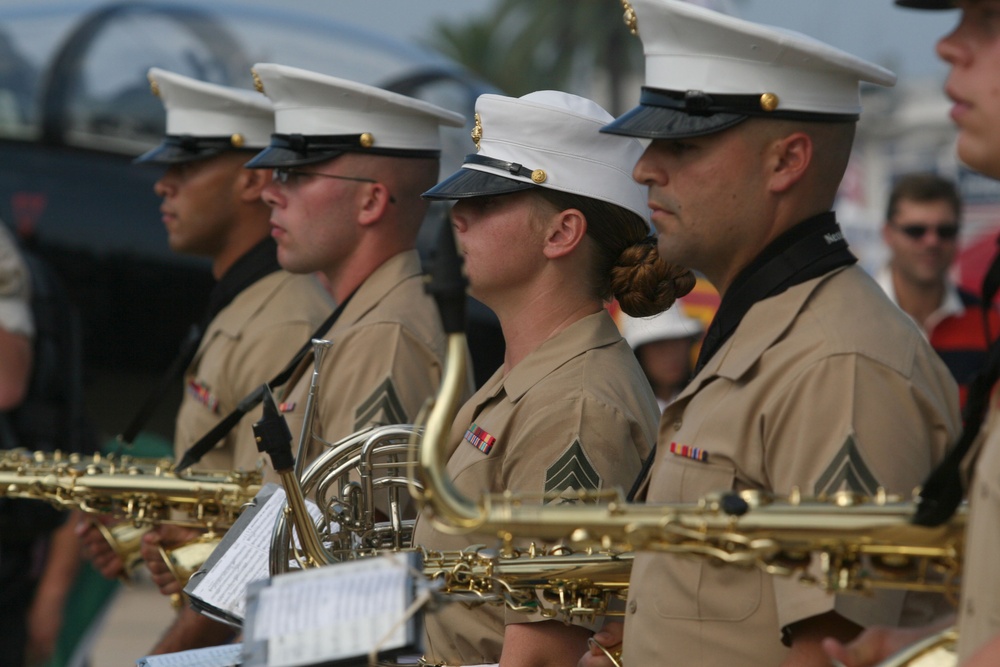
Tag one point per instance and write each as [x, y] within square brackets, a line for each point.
[663, 345]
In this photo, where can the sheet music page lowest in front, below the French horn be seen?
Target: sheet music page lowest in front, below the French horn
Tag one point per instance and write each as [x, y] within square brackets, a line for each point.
[334, 612]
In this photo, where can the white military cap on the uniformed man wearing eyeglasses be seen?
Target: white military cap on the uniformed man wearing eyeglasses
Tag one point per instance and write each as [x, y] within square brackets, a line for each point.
[318, 117]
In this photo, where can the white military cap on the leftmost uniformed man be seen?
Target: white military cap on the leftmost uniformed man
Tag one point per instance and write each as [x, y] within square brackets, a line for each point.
[205, 119]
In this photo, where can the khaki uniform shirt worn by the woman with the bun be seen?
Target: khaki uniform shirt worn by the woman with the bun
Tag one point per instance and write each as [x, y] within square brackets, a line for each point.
[576, 413]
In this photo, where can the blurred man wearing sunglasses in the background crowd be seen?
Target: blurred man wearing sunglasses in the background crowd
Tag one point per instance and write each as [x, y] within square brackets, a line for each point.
[921, 231]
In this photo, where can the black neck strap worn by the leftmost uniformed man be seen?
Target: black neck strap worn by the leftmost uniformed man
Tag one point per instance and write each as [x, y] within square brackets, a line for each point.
[260, 261]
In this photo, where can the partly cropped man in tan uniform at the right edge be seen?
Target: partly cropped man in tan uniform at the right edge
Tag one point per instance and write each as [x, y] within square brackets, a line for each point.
[973, 52]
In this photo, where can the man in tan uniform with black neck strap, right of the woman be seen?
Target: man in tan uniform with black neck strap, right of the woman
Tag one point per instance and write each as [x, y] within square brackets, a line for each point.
[808, 379]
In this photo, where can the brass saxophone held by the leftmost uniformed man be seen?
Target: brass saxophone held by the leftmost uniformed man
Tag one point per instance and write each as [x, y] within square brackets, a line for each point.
[138, 492]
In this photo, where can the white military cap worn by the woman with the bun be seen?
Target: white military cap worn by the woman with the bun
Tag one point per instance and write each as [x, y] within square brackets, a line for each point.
[546, 139]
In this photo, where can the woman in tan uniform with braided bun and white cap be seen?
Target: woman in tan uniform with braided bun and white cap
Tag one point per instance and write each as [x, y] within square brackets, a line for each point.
[552, 226]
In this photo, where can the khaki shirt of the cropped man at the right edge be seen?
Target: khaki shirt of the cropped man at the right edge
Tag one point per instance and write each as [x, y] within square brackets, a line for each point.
[979, 614]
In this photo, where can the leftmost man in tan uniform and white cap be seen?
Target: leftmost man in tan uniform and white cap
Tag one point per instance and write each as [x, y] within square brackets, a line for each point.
[260, 315]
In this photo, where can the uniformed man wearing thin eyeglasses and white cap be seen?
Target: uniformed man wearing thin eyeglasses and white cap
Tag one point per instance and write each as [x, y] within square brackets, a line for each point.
[350, 162]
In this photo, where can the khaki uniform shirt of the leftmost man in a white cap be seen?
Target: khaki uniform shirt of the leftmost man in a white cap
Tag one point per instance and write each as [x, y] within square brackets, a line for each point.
[245, 345]
